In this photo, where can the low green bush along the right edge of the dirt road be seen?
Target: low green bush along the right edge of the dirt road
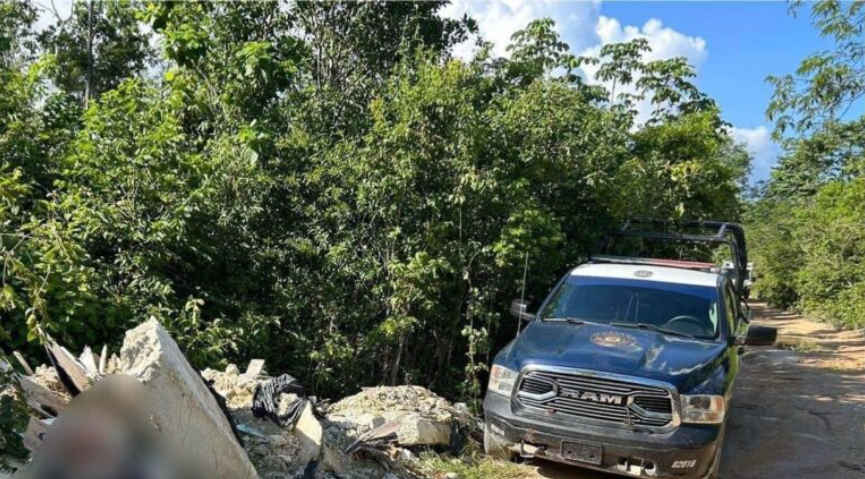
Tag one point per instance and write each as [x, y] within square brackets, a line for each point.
[810, 253]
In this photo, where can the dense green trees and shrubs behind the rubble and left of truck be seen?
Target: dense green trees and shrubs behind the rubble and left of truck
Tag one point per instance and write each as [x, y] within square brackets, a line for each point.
[323, 185]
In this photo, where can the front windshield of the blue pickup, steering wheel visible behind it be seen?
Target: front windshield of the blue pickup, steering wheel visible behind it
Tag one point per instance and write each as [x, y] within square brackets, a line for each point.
[675, 308]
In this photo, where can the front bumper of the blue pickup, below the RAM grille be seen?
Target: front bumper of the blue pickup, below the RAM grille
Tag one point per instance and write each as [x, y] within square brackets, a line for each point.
[687, 452]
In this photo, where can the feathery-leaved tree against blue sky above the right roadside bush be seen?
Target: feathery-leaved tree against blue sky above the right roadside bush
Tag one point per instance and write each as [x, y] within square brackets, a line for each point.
[812, 108]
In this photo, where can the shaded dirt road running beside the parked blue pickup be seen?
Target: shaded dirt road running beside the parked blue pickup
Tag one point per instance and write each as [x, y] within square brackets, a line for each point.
[799, 408]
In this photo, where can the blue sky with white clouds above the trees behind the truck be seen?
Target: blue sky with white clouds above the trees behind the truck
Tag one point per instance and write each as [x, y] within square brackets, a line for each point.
[734, 46]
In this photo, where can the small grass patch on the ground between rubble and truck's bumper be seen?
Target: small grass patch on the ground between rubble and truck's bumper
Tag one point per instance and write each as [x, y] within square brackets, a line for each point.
[470, 466]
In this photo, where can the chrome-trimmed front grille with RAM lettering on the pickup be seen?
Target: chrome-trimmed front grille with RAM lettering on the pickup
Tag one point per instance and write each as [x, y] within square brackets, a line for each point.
[596, 397]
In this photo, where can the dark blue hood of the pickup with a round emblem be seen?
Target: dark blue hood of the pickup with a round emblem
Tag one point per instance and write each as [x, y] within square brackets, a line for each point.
[682, 362]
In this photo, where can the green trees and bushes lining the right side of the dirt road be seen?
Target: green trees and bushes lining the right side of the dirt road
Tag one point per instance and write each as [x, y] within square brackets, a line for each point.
[808, 228]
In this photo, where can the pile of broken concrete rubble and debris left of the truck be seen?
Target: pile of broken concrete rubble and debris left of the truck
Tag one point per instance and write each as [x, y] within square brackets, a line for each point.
[375, 434]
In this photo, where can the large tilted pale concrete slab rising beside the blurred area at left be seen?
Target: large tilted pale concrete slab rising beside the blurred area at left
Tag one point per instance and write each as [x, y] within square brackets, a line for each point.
[185, 409]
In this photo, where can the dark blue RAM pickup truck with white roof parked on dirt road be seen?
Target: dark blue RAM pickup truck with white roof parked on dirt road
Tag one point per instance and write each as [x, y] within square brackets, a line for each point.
[629, 364]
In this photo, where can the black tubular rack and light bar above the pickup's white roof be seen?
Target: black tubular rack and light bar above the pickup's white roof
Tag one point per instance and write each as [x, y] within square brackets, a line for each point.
[696, 232]
